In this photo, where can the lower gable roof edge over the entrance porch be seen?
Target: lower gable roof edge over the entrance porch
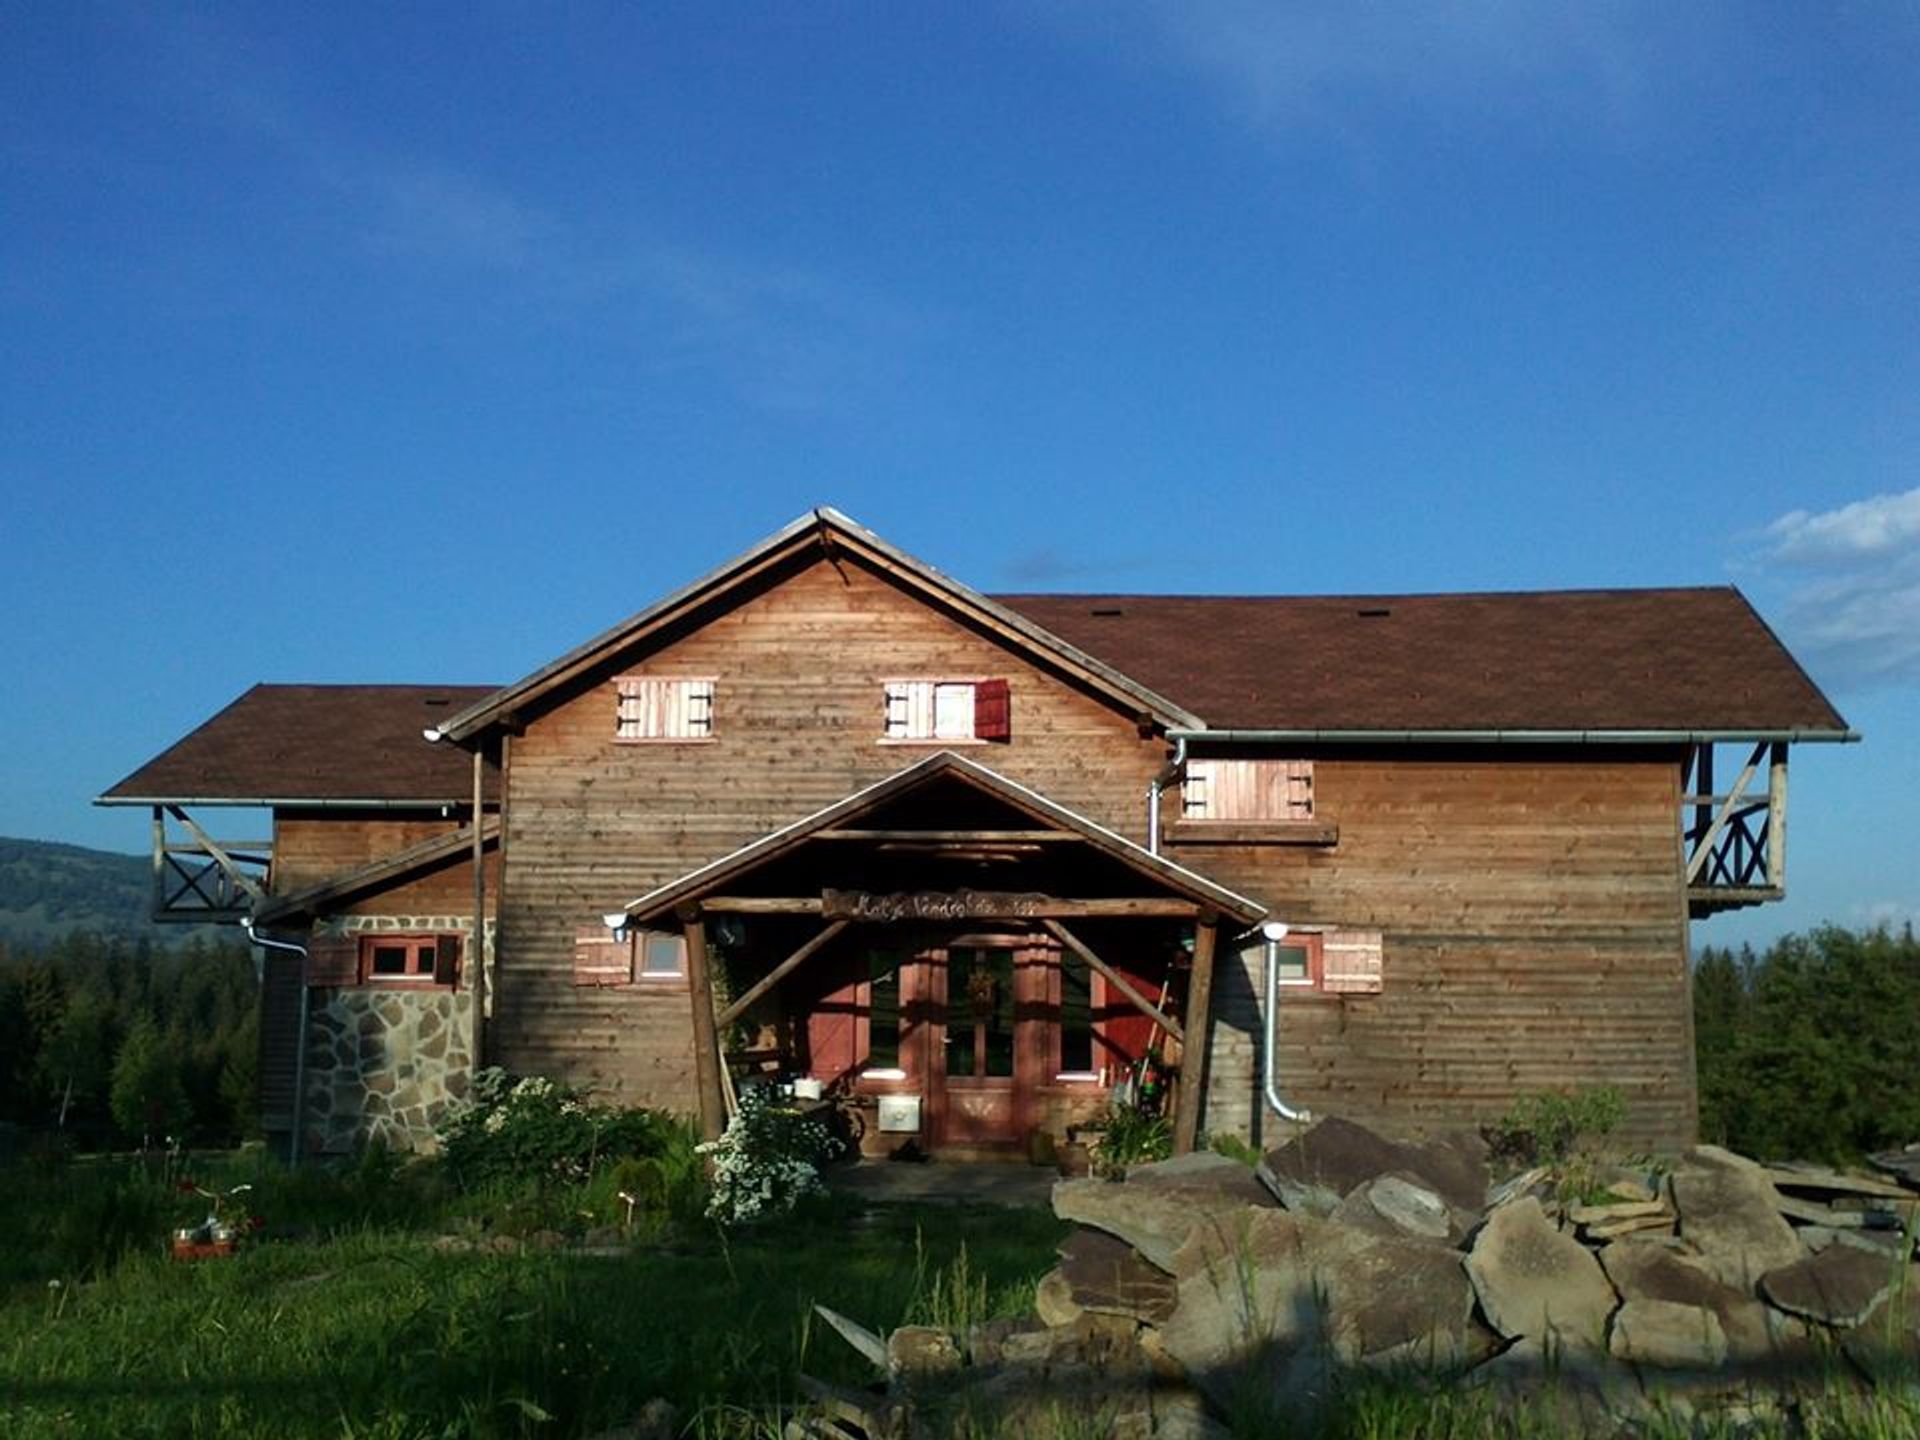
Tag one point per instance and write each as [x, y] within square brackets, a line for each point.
[1047, 813]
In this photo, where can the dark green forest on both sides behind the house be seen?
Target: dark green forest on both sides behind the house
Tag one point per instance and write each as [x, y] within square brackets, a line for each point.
[1806, 1049]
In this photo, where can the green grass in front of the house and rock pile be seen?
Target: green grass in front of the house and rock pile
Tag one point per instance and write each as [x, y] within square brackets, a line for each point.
[350, 1320]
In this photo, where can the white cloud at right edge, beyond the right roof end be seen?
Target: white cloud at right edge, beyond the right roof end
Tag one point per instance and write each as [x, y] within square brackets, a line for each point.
[1852, 588]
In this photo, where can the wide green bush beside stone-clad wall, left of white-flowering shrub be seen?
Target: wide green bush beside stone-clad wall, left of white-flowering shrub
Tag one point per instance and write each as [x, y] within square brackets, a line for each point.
[540, 1132]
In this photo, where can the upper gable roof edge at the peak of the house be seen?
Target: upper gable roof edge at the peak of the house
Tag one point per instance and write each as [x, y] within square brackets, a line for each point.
[828, 531]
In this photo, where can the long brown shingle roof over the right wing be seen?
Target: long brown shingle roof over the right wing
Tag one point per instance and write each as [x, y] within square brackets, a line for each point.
[1606, 660]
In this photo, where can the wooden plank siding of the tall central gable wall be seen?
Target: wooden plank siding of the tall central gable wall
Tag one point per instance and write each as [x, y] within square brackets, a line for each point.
[798, 725]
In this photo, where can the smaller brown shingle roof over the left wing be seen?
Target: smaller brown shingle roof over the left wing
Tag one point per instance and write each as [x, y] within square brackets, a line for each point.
[316, 744]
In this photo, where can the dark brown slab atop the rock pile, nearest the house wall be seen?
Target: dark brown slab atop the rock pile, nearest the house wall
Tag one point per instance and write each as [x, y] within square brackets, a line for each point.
[1316, 1170]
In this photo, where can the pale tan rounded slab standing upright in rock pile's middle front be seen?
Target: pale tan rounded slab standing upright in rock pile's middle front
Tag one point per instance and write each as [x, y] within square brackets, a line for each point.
[1535, 1282]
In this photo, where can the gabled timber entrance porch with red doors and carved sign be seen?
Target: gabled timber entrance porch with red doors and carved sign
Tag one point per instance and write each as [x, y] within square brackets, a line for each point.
[949, 959]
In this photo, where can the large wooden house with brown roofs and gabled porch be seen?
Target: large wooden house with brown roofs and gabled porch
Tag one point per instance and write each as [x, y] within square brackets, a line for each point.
[969, 863]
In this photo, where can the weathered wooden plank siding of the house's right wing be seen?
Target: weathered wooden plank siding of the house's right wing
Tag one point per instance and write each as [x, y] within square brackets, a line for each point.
[1535, 938]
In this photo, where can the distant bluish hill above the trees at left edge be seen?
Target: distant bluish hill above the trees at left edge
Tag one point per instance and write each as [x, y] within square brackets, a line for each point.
[51, 890]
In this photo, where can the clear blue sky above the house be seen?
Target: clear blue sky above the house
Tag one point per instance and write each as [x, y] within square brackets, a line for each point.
[420, 343]
